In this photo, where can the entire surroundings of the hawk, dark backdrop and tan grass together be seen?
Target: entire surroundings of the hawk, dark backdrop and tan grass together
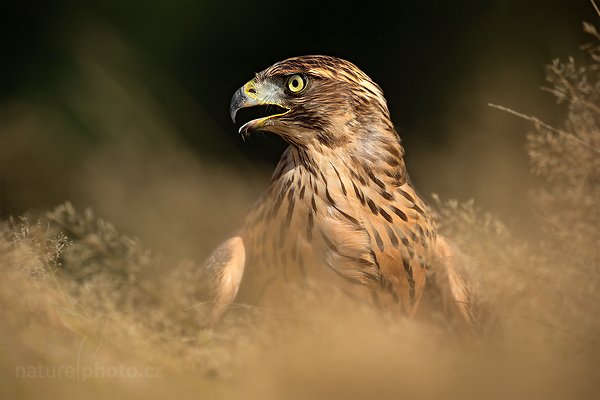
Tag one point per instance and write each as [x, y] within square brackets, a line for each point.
[123, 107]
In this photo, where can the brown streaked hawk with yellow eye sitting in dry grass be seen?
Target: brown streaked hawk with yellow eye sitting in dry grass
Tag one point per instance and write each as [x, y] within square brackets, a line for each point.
[340, 210]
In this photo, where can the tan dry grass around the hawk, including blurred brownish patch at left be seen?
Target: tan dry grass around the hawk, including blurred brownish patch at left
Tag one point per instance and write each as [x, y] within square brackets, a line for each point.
[83, 307]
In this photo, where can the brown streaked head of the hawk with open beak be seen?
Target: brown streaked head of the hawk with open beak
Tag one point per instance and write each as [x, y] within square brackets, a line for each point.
[312, 100]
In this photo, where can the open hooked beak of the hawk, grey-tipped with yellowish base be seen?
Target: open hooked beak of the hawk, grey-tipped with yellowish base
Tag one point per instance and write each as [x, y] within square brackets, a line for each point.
[256, 111]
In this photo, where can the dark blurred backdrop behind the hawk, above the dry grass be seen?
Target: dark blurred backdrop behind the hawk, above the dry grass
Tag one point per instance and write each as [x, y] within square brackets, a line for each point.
[124, 105]
